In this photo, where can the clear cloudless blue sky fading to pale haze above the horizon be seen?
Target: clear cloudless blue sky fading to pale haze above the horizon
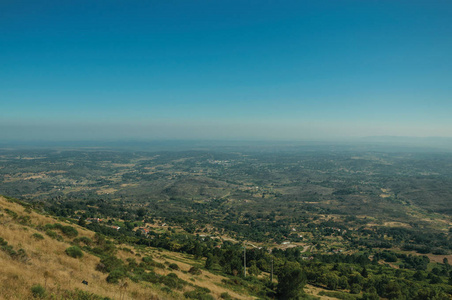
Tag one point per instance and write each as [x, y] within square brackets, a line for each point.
[264, 69]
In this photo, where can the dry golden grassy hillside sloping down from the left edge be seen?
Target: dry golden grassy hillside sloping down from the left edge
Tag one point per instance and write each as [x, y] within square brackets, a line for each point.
[30, 257]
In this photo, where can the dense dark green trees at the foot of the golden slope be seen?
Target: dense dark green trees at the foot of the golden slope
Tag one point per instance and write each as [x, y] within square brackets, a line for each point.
[357, 273]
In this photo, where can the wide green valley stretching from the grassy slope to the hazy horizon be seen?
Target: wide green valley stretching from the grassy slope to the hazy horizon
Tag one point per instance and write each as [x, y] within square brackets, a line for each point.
[389, 205]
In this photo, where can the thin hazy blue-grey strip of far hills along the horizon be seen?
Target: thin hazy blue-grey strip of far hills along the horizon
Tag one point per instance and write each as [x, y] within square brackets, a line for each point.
[383, 143]
